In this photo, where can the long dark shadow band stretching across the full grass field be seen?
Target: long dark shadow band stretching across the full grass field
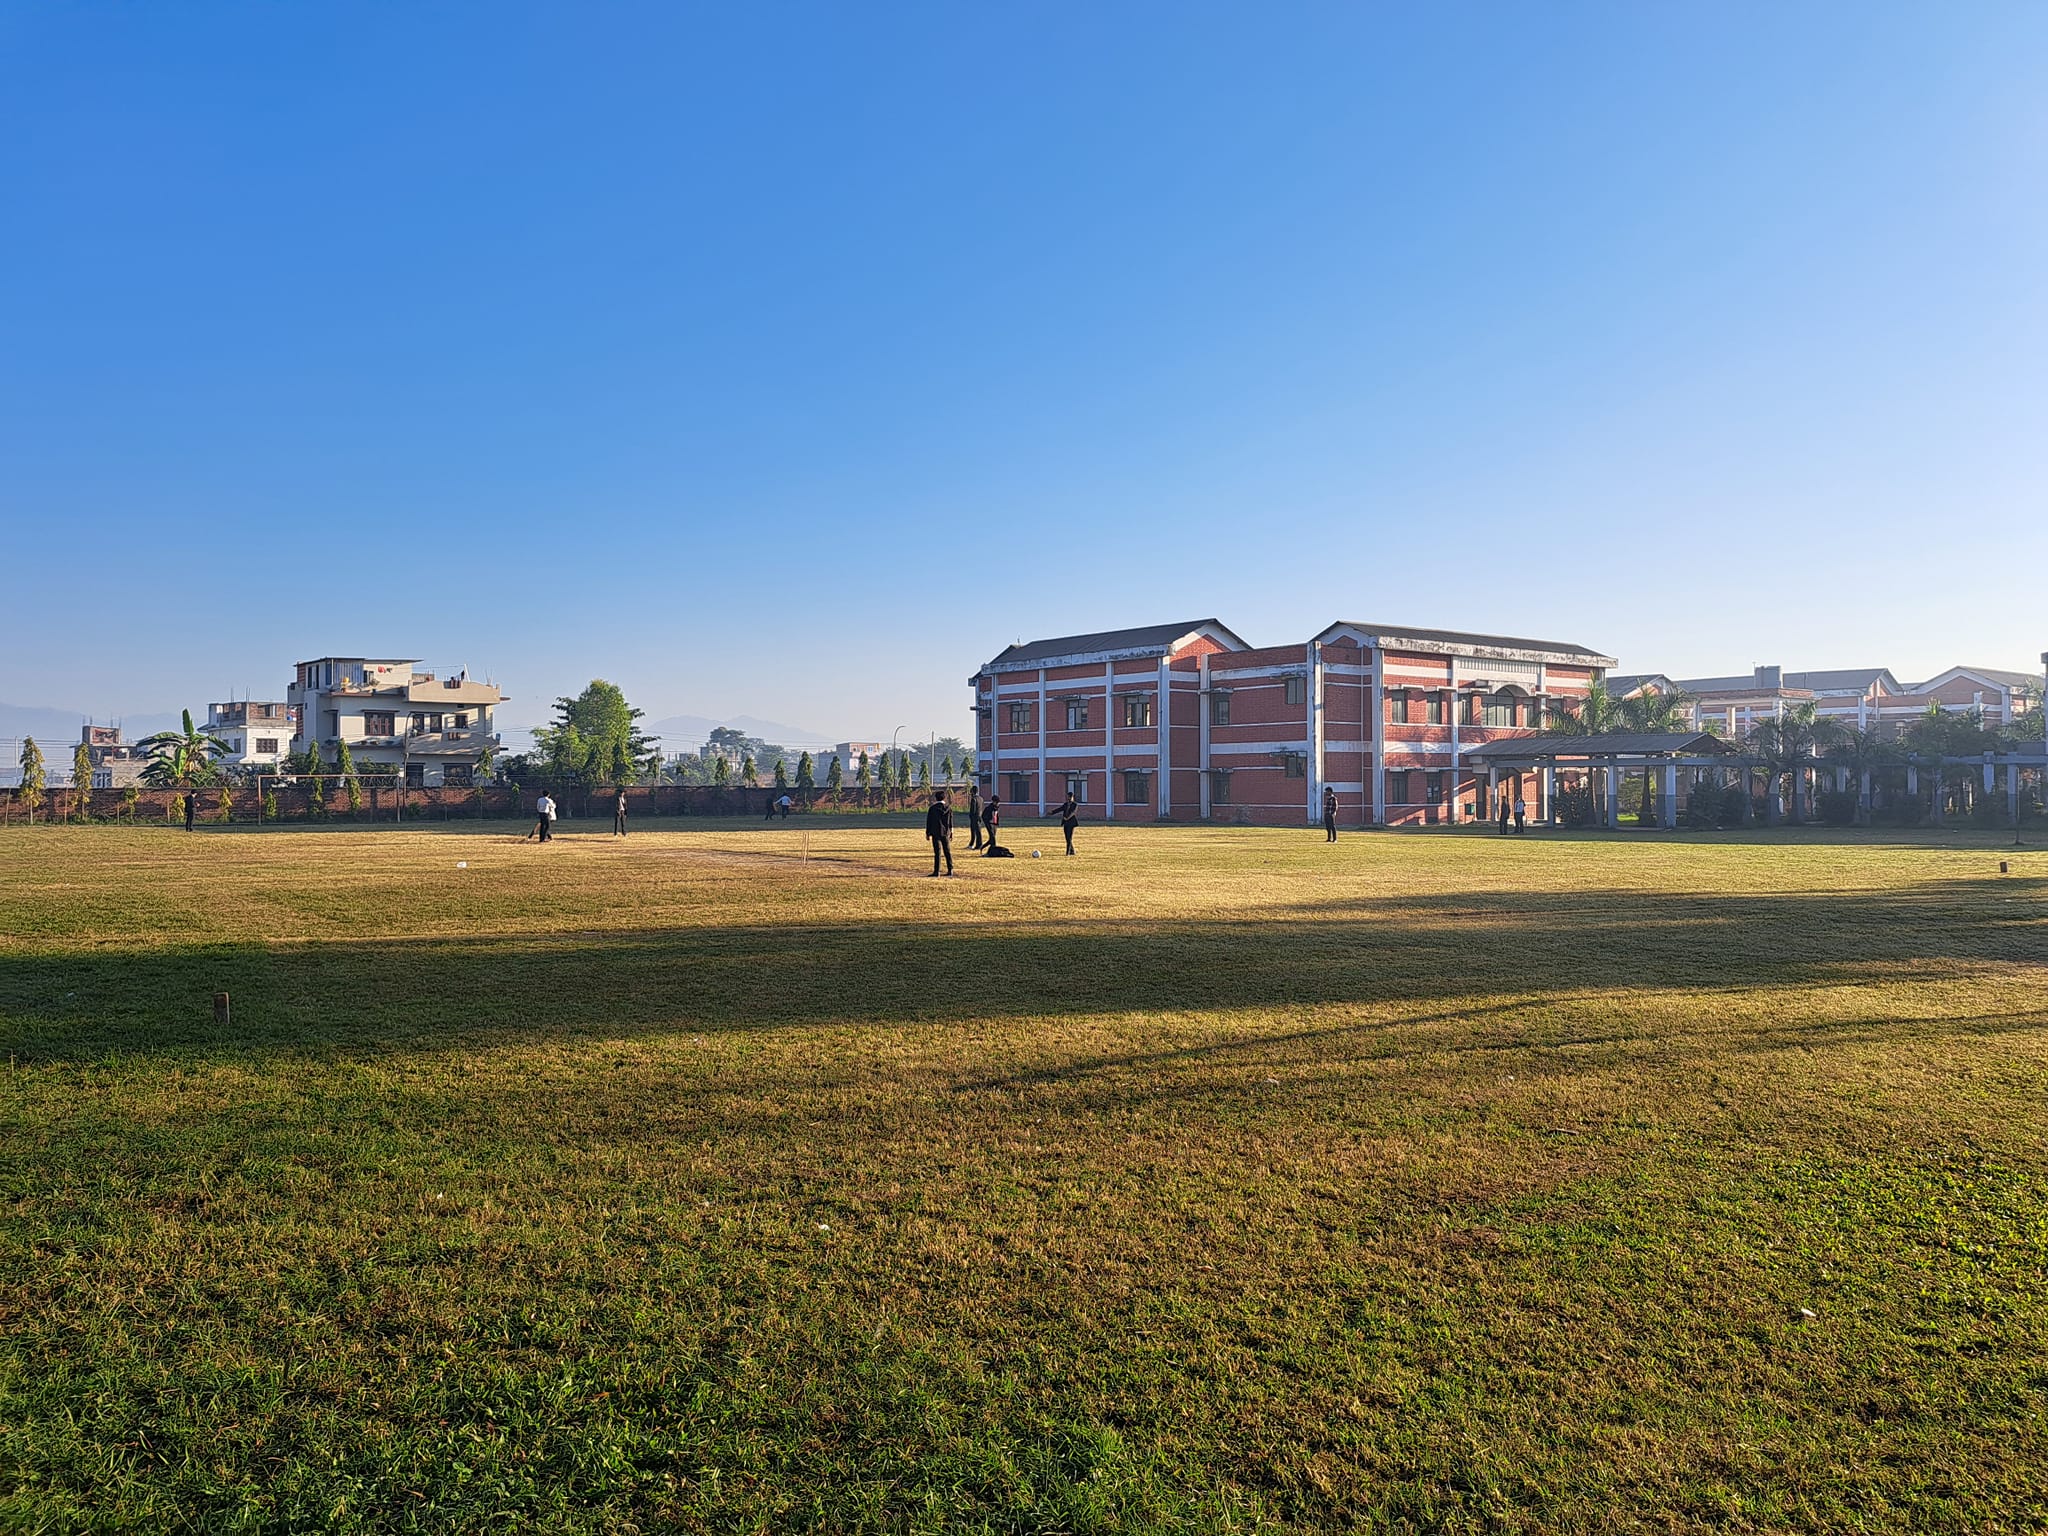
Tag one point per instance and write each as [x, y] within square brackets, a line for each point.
[1465, 951]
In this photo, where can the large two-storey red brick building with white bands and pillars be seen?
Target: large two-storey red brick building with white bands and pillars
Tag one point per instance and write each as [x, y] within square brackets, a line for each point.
[1187, 722]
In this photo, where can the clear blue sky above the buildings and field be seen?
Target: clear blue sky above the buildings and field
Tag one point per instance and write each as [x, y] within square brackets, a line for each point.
[794, 359]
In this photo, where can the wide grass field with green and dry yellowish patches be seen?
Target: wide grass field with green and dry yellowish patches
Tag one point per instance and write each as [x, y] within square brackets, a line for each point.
[1213, 1181]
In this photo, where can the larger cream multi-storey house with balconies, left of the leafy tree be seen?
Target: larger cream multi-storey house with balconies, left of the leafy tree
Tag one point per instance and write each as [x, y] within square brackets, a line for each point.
[396, 718]
